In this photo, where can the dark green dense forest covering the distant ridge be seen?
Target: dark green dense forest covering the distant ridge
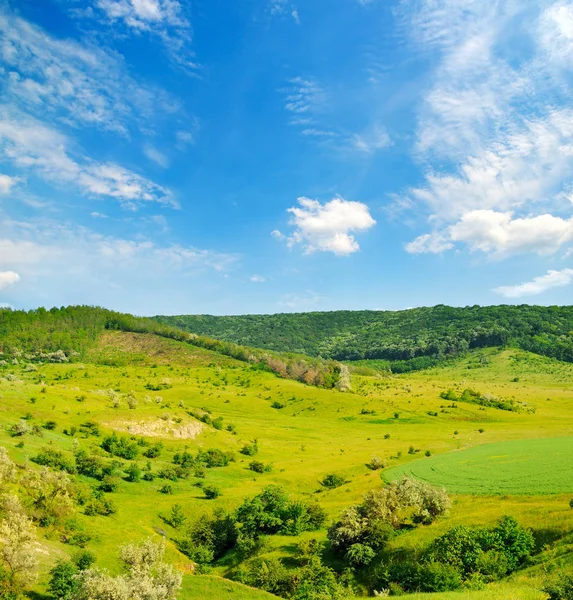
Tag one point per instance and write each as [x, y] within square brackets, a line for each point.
[419, 335]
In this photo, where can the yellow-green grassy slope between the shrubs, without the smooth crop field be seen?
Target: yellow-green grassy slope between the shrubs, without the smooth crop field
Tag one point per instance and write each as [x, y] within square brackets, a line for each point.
[320, 431]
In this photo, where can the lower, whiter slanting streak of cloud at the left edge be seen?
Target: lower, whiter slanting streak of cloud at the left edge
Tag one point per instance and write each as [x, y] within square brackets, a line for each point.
[29, 144]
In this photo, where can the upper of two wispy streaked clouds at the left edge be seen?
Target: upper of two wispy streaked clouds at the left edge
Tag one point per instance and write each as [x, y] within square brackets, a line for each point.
[80, 84]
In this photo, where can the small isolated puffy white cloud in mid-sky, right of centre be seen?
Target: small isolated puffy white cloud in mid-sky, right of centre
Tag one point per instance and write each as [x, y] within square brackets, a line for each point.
[328, 227]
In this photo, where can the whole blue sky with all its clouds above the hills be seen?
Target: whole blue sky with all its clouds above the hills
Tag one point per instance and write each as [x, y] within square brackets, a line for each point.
[182, 156]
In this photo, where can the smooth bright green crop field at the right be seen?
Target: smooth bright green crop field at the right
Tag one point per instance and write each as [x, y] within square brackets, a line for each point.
[541, 466]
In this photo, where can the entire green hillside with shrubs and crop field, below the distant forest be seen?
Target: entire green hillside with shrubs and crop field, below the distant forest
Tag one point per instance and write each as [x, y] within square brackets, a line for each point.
[118, 429]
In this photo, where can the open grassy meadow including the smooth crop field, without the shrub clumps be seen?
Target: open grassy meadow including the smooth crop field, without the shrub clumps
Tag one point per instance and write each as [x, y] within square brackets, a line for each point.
[517, 461]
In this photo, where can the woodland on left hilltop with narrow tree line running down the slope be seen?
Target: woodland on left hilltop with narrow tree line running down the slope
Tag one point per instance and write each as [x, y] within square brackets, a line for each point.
[40, 334]
